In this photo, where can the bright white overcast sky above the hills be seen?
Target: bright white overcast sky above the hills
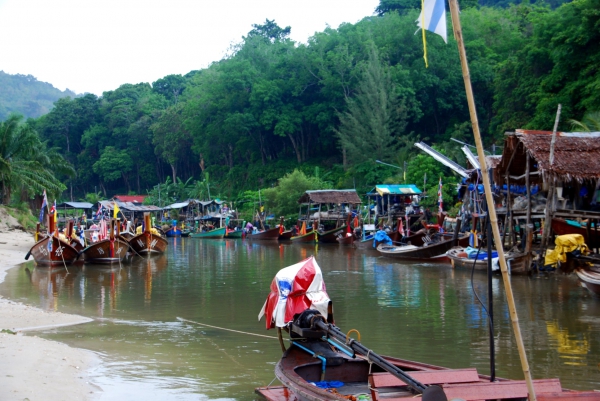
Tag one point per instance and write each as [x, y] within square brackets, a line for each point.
[98, 45]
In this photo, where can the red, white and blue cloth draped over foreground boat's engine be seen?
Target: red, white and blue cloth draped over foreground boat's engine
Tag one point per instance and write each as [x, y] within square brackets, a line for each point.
[293, 290]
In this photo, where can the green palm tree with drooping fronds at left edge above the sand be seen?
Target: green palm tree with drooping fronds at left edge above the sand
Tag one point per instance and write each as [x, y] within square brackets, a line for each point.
[26, 164]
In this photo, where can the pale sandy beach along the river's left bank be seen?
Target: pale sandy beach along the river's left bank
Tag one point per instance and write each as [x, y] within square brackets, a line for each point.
[33, 368]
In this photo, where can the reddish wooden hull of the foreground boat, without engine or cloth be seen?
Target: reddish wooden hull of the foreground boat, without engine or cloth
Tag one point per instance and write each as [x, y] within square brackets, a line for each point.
[297, 370]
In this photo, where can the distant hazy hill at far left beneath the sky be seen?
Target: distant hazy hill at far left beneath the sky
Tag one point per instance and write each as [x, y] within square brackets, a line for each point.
[24, 94]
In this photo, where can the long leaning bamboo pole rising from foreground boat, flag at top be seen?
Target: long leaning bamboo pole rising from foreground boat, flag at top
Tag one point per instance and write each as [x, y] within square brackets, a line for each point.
[488, 192]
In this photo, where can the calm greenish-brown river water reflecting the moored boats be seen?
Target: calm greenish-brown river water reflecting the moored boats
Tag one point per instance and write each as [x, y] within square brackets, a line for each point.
[419, 311]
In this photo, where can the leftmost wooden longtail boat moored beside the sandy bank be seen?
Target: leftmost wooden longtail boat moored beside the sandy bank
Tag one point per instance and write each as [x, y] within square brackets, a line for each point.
[50, 250]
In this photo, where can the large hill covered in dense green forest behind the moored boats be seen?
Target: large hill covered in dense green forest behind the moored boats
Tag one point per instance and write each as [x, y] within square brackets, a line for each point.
[331, 107]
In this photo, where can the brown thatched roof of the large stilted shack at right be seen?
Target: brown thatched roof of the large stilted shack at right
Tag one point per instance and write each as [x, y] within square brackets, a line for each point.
[576, 155]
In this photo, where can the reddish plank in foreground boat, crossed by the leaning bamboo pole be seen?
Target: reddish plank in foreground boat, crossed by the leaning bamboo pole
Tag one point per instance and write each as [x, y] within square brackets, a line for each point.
[500, 390]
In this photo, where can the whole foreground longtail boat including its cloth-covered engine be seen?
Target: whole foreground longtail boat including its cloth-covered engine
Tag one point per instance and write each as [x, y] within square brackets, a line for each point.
[323, 363]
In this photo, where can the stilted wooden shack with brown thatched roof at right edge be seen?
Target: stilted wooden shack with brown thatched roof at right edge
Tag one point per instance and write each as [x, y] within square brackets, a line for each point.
[558, 176]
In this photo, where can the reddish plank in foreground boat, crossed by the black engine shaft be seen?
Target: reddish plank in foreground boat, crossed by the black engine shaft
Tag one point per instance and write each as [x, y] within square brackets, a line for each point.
[426, 377]
